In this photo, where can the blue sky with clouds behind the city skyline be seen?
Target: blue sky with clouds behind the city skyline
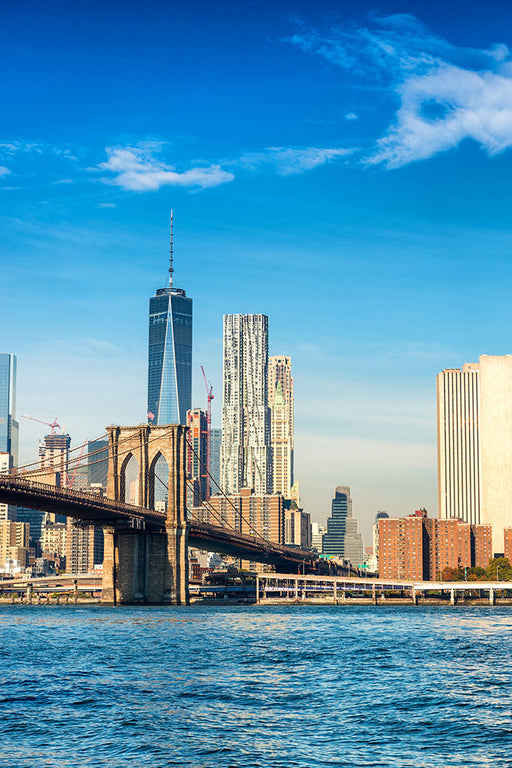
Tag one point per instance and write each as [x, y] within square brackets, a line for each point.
[343, 167]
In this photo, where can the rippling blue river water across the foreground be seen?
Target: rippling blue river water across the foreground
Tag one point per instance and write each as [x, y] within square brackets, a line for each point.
[278, 687]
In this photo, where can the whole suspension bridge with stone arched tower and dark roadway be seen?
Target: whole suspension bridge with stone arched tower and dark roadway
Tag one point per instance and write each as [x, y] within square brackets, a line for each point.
[146, 551]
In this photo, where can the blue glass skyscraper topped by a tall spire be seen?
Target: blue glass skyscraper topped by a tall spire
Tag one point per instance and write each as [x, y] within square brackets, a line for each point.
[170, 353]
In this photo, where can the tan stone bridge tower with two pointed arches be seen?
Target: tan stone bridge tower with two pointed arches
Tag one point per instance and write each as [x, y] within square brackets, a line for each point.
[144, 566]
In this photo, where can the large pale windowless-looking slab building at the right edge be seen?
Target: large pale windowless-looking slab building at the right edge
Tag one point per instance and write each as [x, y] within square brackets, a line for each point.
[475, 444]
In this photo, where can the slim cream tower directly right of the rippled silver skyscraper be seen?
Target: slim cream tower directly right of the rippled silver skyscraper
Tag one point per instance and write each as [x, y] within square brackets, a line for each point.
[280, 398]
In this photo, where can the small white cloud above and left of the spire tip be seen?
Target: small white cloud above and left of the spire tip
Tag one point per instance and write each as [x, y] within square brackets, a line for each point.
[136, 169]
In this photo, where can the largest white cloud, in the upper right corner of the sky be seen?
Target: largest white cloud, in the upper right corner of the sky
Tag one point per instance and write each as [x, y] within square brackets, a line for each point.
[446, 93]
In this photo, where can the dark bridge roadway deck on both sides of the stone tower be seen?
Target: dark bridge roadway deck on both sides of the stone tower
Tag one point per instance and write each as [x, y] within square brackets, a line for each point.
[98, 510]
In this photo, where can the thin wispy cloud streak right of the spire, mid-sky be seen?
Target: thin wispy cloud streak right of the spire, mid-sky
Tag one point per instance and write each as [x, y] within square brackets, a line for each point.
[287, 161]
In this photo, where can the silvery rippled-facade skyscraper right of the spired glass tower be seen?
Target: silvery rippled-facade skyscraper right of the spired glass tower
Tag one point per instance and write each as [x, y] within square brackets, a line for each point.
[246, 455]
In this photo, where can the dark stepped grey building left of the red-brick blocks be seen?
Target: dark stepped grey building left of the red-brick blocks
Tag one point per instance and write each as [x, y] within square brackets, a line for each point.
[342, 538]
